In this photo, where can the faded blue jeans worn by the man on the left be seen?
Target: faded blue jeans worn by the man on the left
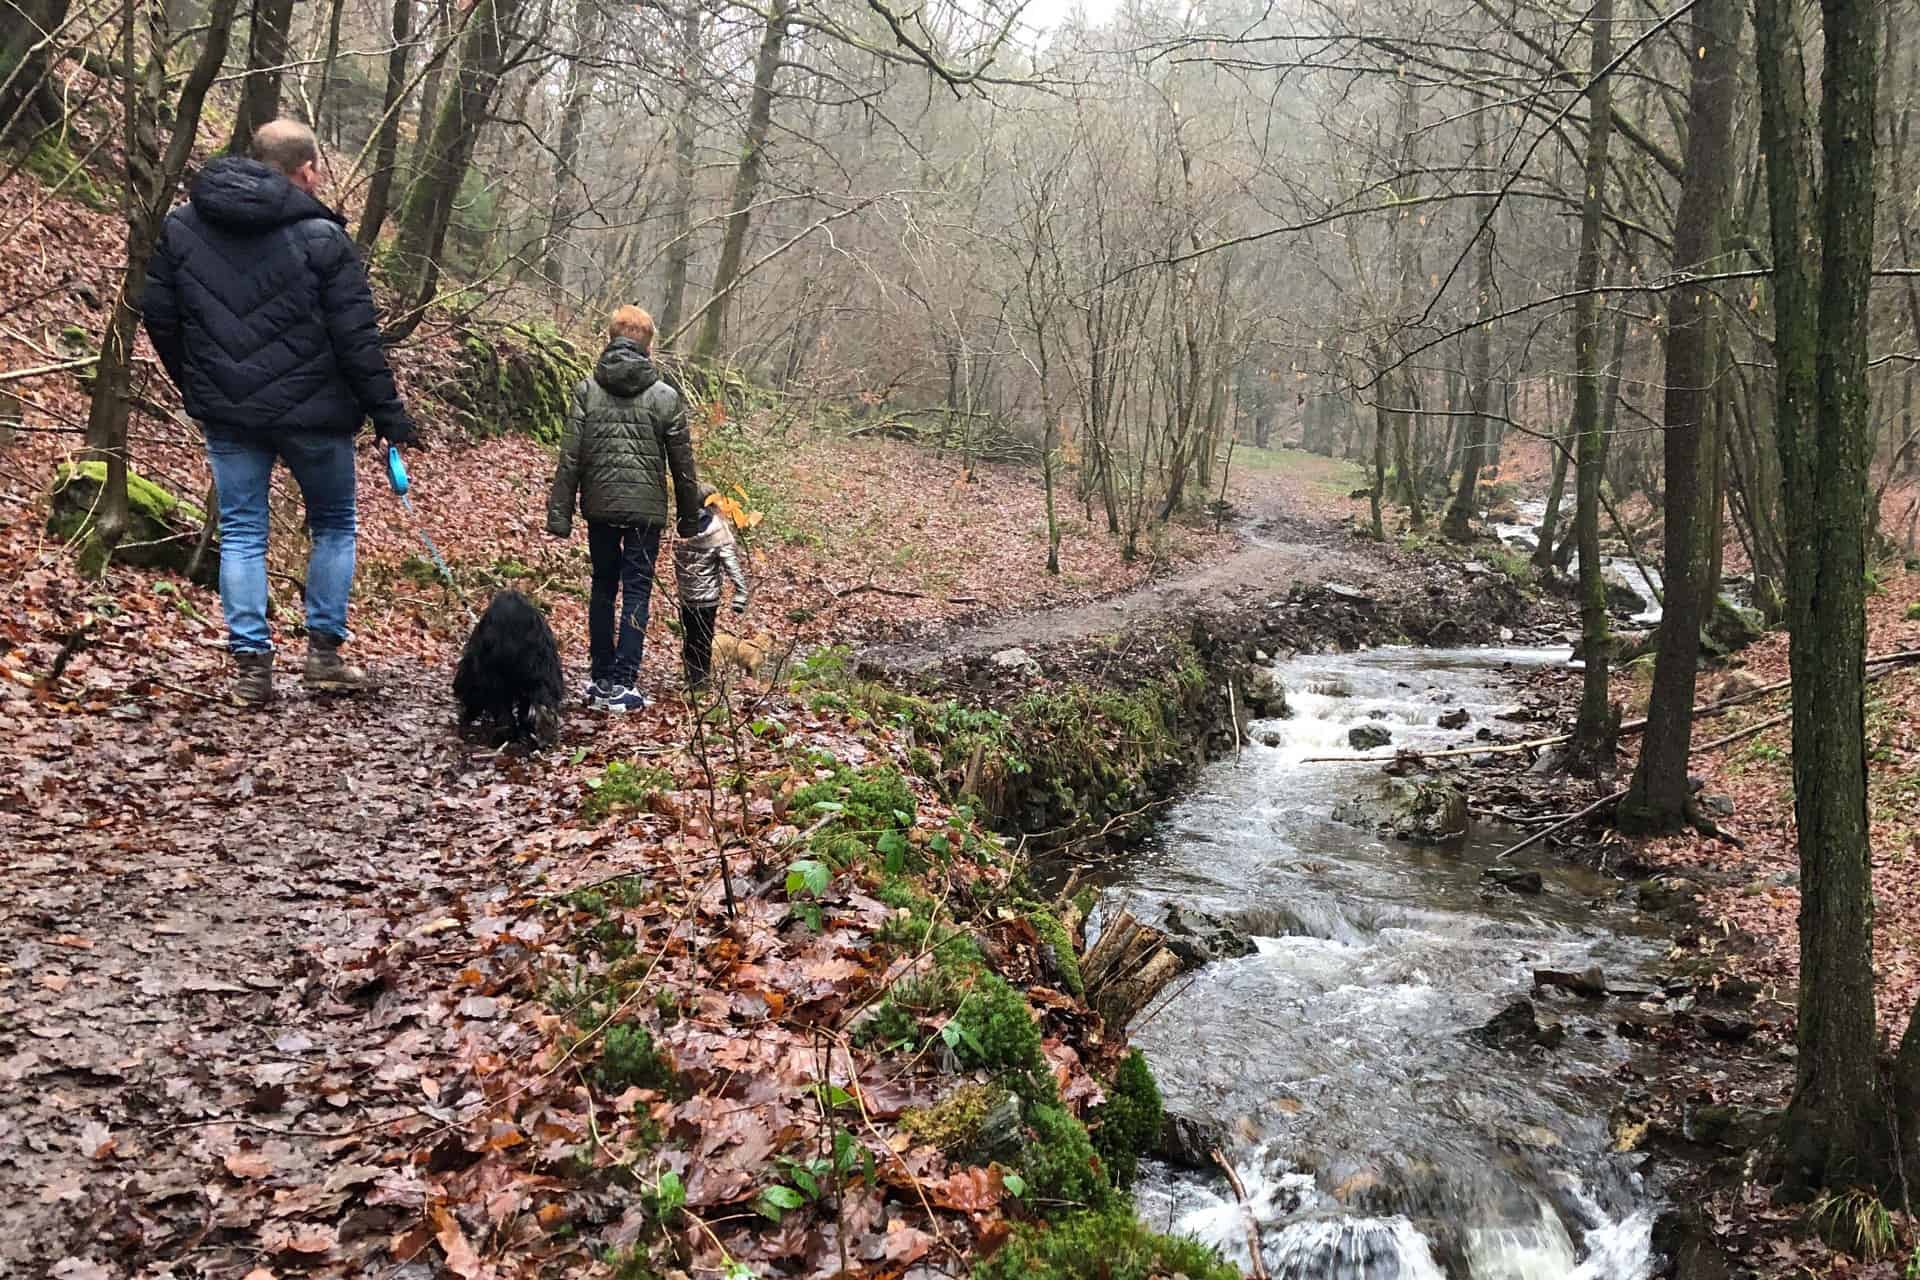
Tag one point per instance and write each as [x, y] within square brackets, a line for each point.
[243, 473]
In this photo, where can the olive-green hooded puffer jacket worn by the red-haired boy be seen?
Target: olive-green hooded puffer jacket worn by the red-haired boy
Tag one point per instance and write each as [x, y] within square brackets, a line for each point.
[625, 435]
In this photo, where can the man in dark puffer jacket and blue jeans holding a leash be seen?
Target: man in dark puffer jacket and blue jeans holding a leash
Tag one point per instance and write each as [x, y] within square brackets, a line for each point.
[260, 310]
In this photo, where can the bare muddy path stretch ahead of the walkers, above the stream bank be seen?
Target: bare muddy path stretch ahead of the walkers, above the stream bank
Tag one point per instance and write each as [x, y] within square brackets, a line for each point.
[1280, 552]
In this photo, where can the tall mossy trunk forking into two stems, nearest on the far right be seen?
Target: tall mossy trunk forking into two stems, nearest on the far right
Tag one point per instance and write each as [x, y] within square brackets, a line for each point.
[1835, 1126]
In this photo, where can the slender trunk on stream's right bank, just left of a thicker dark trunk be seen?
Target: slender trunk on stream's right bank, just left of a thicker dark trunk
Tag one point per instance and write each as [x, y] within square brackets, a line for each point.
[1596, 726]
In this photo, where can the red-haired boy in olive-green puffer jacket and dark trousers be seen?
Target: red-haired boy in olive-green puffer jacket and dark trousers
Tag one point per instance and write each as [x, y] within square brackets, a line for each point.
[627, 433]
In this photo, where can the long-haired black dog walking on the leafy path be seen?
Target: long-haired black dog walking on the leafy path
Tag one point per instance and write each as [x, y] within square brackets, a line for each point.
[512, 673]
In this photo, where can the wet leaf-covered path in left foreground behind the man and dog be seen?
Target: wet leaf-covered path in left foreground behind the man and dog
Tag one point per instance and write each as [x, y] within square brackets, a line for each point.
[231, 953]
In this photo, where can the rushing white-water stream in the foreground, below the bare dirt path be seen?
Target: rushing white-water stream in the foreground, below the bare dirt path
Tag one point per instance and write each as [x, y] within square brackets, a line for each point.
[1374, 1135]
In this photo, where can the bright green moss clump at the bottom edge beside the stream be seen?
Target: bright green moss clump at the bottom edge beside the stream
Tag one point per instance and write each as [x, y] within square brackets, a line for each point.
[1101, 1246]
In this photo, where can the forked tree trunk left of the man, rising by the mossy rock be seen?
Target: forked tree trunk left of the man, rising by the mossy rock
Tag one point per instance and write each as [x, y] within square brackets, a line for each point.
[149, 195]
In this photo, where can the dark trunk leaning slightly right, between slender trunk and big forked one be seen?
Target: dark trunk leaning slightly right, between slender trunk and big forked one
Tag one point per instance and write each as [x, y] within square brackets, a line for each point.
[1658, 797]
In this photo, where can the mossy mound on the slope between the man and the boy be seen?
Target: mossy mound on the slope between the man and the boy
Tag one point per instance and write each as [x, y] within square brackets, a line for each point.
[519, 381]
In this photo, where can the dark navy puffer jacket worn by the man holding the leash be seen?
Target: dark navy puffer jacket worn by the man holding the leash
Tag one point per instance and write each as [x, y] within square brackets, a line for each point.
[260, 310]
